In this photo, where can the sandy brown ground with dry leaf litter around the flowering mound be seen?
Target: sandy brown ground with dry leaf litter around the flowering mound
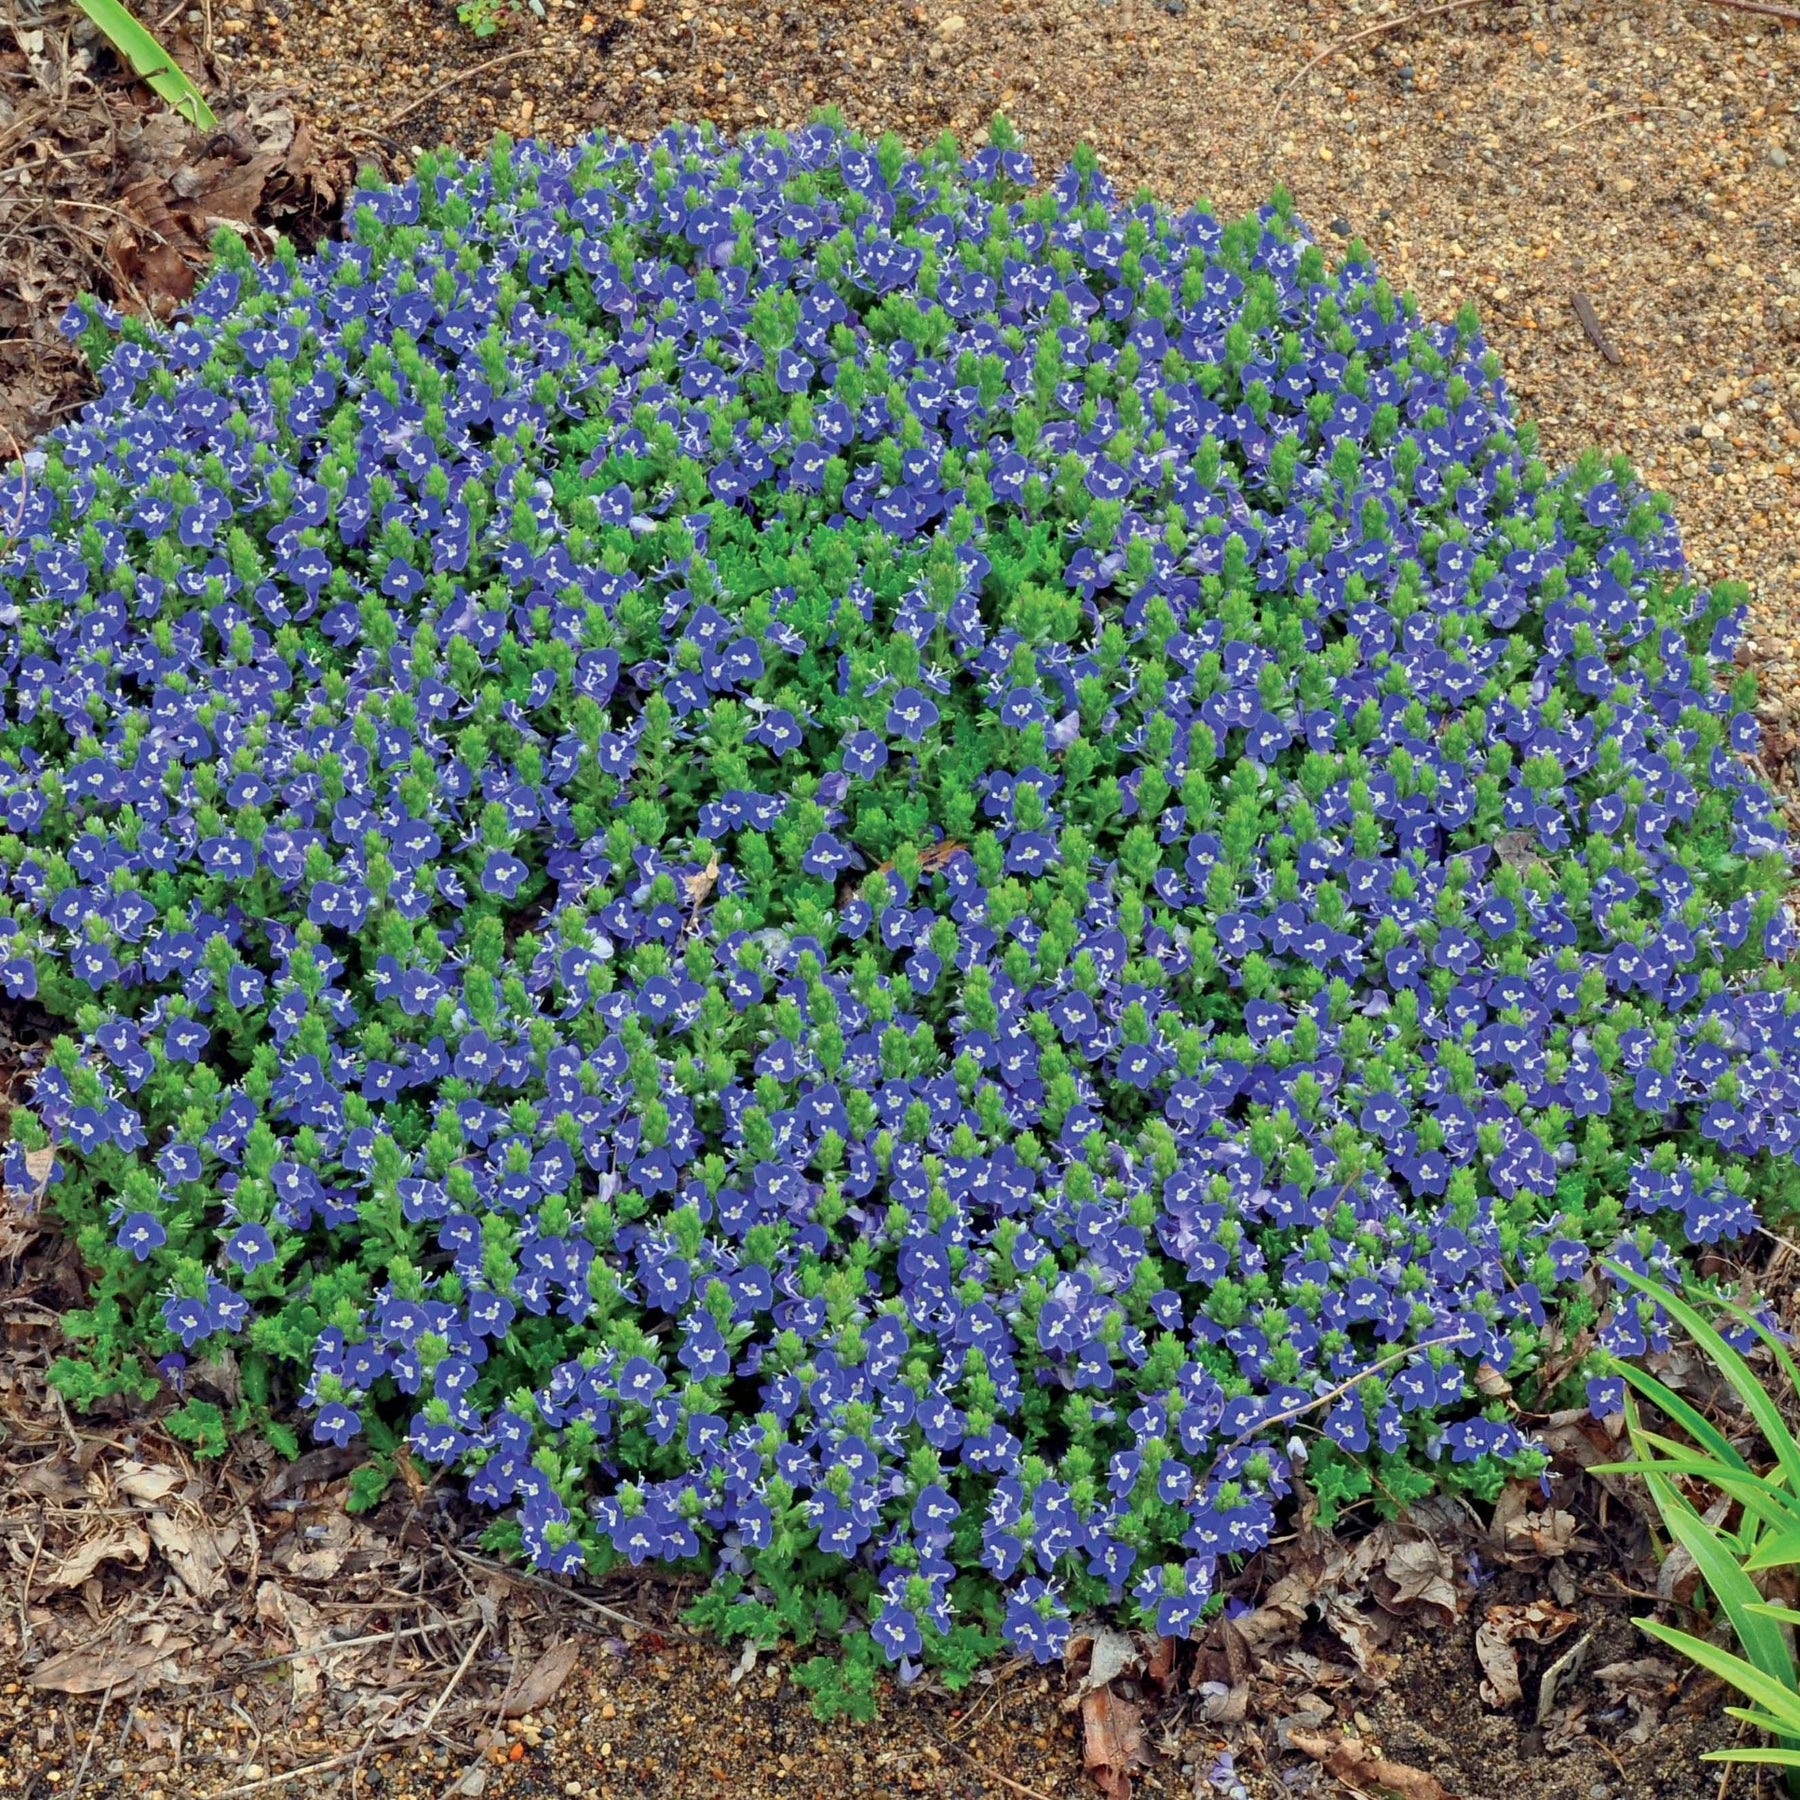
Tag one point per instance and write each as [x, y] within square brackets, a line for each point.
[168, 1632]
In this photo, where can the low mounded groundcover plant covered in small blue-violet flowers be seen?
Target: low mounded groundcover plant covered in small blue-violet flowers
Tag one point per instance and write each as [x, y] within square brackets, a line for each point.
[867, 879]
